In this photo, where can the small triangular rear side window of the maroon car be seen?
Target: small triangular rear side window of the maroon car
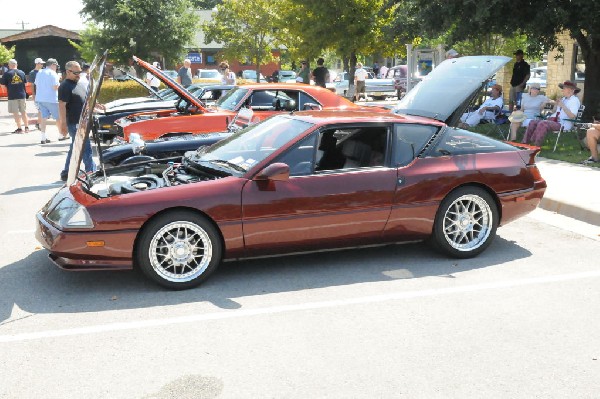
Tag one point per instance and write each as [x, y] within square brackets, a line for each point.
[409, 140]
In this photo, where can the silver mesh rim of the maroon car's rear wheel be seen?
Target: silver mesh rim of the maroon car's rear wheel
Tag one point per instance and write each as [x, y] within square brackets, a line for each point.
[467, 223]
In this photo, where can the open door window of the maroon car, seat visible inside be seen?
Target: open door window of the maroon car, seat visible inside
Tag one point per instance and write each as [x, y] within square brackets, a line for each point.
[351, 148]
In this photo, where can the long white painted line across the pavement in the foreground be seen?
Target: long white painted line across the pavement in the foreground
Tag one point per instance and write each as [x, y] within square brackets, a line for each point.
[111, 327]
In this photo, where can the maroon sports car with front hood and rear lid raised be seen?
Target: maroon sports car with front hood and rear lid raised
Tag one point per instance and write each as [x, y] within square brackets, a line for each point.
[301, 181]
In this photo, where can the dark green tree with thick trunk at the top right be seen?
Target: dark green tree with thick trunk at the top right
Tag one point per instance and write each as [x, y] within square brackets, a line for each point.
[541, 21]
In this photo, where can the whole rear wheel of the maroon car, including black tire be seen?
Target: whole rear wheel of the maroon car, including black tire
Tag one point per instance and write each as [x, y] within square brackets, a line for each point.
[465, 223]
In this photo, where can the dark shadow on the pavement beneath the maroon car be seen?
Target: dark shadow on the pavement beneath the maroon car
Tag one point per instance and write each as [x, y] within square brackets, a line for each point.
[36, 285]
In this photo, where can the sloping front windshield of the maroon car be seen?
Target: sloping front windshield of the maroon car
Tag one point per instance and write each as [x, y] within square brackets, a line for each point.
[252, 145]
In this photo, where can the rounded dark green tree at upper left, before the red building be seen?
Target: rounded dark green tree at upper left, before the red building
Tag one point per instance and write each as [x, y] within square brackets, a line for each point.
[146, 28]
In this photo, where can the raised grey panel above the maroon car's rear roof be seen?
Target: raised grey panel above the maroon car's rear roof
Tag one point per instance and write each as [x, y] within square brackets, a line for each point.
[444, 93]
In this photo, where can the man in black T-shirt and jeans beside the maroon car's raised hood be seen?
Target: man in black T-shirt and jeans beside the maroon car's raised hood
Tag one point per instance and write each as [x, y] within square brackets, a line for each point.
[71, 97]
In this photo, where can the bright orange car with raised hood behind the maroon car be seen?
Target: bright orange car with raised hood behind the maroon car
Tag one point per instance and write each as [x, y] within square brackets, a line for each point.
[192, 116]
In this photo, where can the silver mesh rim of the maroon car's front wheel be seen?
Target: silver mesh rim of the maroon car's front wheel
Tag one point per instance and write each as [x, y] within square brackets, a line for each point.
[180, 251]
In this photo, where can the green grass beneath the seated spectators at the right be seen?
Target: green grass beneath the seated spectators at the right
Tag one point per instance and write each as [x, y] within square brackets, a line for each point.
[569, 148]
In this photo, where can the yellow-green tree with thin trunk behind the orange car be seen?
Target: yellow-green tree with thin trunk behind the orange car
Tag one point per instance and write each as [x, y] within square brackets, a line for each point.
[246, 29]
